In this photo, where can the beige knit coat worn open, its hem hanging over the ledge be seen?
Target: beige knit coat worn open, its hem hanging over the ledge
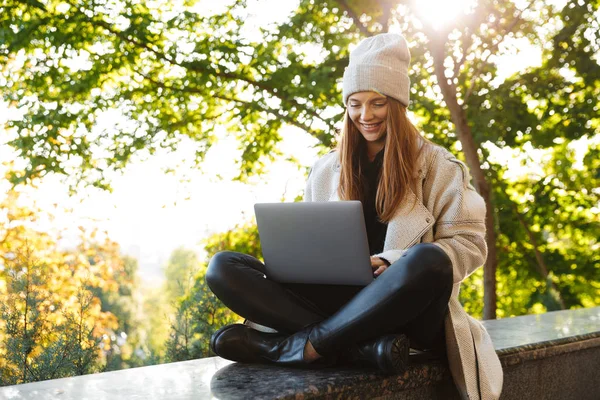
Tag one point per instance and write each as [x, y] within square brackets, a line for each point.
[449, 213]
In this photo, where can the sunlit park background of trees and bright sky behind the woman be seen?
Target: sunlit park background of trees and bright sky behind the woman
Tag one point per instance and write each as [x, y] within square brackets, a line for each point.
[135, 138]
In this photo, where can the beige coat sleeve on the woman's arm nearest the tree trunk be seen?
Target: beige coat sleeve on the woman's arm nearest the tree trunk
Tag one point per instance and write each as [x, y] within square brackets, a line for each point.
[459, 212]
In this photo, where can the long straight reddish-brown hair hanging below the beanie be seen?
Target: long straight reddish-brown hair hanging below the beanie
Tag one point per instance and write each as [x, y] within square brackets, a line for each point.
[399, 171]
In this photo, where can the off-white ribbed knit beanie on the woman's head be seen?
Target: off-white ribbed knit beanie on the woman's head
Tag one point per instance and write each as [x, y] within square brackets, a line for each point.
[379, 64]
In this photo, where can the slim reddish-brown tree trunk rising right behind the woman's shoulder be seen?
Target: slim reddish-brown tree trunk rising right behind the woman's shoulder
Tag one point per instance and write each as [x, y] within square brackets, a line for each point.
[469, 148]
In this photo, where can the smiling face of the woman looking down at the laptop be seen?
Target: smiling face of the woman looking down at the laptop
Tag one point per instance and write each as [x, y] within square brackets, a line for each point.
[368, 111]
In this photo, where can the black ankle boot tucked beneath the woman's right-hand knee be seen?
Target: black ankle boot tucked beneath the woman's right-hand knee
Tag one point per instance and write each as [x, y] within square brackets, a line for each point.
[388, 353]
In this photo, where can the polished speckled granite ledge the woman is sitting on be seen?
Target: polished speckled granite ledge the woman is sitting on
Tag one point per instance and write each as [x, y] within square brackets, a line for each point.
[575, 334]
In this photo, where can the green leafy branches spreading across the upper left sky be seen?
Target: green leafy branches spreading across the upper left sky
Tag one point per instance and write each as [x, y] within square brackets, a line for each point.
[170, 73]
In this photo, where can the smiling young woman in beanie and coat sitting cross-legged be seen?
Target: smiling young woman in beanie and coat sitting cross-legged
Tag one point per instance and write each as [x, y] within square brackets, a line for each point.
[426, 231]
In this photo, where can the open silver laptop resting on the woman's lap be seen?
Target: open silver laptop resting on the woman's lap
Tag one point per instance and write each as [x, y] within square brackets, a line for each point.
[315, 242]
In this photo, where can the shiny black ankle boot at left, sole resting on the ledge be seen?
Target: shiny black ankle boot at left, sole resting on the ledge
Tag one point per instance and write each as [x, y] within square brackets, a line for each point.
[241, 343]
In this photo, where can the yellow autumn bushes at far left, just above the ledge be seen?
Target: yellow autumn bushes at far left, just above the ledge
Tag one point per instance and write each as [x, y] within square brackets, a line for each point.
[64, 313]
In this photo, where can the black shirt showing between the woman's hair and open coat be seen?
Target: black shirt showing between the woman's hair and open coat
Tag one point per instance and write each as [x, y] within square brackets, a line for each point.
[376, 229]
